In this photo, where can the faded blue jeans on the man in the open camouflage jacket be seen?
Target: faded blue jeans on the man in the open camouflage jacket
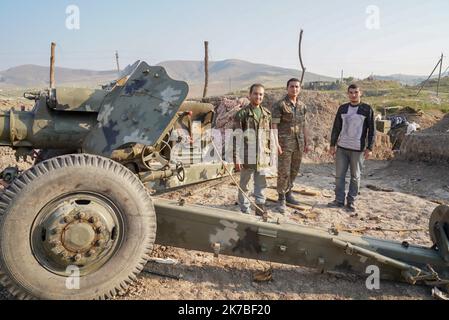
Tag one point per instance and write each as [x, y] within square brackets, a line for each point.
[260, 183]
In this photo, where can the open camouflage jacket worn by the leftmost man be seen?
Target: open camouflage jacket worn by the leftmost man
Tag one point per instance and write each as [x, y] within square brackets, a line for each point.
[252, 140]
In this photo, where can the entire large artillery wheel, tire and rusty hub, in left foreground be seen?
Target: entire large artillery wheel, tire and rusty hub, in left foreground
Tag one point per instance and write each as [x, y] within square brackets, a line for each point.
[74, 227]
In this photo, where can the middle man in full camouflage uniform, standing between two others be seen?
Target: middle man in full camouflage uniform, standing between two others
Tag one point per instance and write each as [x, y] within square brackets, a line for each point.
[289, 118]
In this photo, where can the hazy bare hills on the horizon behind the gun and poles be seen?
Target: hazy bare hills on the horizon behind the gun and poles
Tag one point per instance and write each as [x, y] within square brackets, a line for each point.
[225, 76]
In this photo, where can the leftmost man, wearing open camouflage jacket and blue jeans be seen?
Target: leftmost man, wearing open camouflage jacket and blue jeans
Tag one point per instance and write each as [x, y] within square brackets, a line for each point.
[252, 126]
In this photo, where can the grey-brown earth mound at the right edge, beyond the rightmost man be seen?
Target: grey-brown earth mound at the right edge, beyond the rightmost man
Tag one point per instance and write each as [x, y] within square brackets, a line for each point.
[428, 145]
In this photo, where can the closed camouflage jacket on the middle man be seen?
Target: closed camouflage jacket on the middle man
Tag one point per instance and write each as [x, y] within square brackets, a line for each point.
[291, 123]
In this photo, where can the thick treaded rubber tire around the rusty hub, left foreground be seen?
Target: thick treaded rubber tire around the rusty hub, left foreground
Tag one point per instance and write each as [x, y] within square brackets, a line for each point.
[20, 203]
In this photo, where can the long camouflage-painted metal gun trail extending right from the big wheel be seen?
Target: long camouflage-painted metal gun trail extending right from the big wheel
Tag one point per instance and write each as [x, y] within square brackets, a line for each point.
[228, 233]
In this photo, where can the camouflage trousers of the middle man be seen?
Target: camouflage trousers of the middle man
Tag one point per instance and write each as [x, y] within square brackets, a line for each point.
[289, 163]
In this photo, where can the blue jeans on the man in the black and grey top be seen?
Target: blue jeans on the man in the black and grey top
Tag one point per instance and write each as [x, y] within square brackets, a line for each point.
[354, 161]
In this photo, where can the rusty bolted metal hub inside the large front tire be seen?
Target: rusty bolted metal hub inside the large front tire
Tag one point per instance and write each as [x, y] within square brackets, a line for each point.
[78, 231]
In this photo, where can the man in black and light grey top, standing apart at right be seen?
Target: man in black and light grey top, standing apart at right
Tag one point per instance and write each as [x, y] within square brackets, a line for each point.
[352, 142]
